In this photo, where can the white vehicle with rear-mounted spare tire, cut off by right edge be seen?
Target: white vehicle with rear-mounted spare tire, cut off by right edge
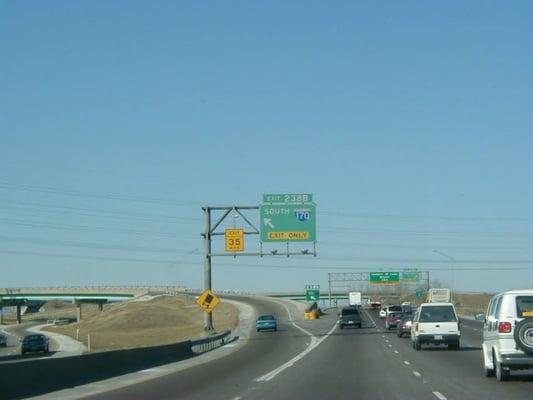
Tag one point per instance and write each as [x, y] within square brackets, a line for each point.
[508, 333]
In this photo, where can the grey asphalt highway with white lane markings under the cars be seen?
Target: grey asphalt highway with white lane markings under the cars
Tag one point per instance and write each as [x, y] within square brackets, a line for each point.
[367, 363]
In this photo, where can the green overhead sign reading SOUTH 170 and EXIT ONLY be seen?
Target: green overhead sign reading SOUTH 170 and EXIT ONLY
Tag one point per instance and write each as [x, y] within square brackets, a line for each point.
[288, 222]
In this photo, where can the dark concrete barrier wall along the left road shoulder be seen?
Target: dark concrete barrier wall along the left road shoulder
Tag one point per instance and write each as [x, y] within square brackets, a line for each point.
[35, 377]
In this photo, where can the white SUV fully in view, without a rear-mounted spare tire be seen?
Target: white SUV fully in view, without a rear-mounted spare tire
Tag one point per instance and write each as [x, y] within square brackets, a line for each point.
[435, 323]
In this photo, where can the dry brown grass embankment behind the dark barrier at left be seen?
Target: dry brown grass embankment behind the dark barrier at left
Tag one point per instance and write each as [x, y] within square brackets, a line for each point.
[143, 322]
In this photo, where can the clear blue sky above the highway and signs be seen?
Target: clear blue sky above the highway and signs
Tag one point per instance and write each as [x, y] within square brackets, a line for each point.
[410, 123]
